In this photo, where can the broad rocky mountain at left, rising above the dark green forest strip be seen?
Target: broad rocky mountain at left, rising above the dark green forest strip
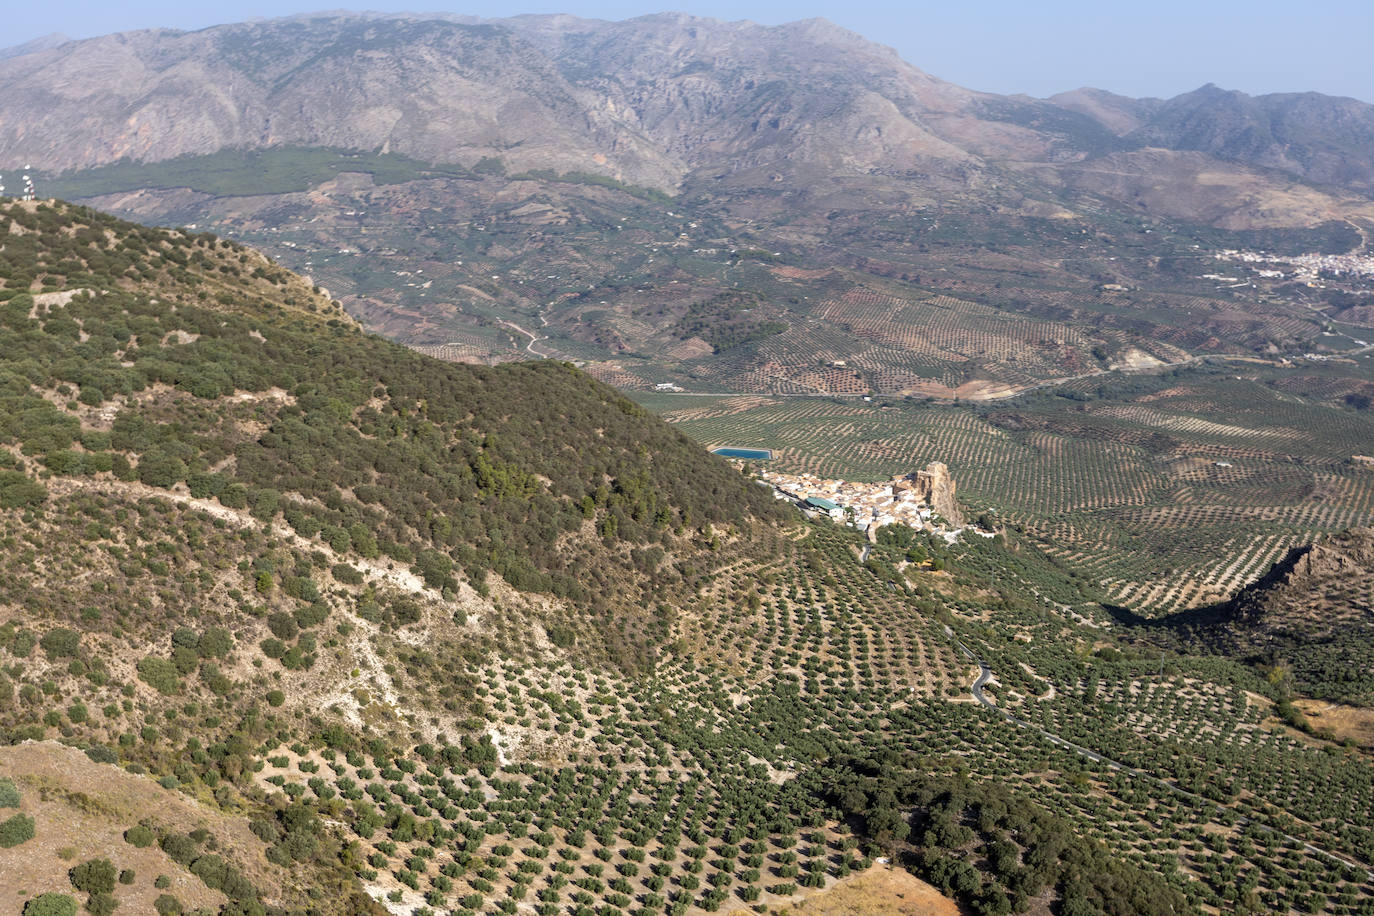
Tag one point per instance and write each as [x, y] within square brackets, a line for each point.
[442, 91]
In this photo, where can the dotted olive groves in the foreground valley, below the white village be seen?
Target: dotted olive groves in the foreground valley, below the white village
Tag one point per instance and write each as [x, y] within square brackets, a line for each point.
[689, 792]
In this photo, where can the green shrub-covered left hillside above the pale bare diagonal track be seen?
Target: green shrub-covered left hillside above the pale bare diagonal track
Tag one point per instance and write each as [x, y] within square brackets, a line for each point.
[532, 472]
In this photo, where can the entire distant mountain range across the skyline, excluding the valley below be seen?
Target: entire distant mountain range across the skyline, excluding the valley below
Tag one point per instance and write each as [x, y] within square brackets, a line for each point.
[656, 101]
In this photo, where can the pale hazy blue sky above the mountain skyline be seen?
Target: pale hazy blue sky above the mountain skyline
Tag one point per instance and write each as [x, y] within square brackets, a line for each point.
[1006, 46]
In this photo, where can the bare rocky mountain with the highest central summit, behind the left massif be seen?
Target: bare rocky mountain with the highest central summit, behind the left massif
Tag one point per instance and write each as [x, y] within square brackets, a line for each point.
[734, 93]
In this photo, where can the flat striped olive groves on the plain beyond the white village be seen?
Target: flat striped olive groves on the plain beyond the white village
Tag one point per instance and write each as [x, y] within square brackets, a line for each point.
[1171, 496]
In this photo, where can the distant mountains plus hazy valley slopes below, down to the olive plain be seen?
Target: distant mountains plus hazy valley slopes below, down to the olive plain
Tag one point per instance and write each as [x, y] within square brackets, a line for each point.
[719, 205]
